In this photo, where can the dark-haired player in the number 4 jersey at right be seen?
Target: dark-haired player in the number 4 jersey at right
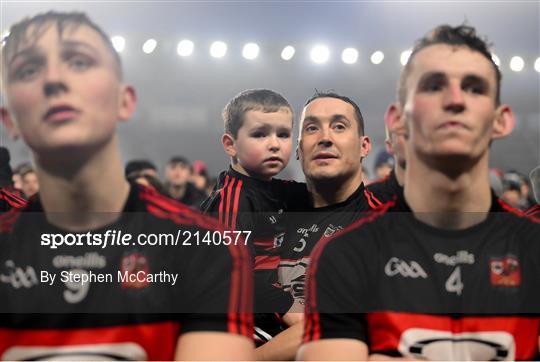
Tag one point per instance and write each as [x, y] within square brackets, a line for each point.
[451, 279]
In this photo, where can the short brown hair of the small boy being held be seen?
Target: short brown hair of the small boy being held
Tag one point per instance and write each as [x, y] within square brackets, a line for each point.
[264, 100]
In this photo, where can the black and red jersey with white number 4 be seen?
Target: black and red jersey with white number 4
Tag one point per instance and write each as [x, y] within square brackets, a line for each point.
[406, 288]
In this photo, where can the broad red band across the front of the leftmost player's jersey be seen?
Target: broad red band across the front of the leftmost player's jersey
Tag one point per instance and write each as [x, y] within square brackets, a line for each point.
[158, 340]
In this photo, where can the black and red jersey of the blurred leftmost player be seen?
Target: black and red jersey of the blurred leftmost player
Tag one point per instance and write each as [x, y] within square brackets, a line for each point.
[142, 310]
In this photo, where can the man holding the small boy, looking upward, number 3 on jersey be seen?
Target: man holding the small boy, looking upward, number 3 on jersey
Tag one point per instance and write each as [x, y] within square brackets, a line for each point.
[331, 147]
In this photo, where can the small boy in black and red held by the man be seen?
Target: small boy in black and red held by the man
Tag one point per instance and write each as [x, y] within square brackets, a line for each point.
[258, 139]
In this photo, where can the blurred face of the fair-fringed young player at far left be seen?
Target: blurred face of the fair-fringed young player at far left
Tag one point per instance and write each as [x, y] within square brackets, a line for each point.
[63, 91]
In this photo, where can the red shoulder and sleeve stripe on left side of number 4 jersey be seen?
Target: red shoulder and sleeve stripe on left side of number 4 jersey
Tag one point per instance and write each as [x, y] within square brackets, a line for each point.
[313, 330]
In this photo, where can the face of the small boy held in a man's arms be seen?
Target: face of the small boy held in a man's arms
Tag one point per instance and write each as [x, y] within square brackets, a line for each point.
[264, 143]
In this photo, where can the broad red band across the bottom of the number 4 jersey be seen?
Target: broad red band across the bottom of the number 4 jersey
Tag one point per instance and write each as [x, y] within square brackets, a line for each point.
[386, 329]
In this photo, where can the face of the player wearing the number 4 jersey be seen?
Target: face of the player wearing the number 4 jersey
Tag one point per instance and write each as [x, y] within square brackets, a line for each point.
[450, 107]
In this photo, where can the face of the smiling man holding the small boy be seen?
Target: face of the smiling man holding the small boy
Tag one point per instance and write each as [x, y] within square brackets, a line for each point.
[330, 147]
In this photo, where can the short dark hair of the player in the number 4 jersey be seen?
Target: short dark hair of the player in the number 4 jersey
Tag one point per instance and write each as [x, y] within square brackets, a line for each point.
[462, 35]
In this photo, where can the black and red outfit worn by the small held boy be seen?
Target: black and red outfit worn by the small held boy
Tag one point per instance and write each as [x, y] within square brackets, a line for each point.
[244, 203]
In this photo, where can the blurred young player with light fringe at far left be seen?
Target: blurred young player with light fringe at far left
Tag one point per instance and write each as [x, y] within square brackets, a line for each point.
[64, 95]
